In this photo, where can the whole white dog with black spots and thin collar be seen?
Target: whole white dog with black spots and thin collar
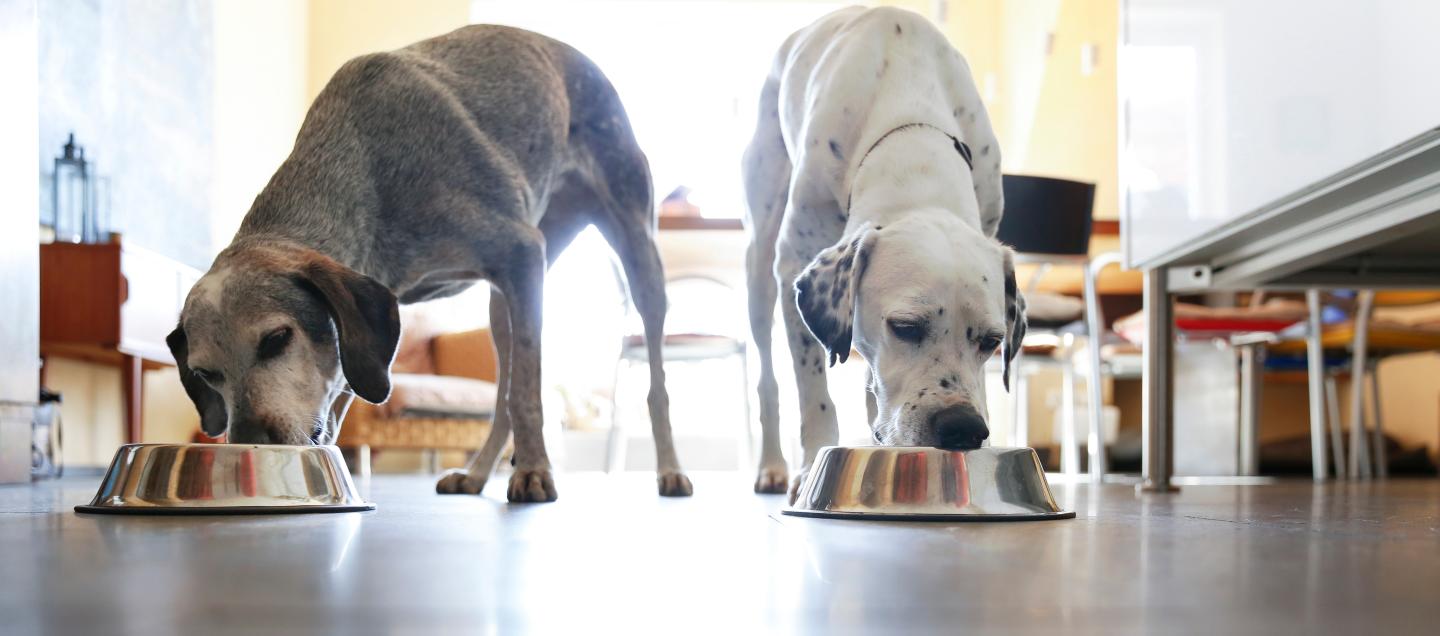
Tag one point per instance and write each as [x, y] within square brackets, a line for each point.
[875, 195]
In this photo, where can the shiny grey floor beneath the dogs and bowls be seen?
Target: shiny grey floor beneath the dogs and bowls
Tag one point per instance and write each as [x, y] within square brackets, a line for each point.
[611, 558]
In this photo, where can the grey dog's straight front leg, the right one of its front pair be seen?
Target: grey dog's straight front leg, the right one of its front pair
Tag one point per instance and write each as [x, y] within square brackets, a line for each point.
[523, 286]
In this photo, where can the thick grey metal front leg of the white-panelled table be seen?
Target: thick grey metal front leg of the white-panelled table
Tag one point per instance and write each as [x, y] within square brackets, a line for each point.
[1158, 425]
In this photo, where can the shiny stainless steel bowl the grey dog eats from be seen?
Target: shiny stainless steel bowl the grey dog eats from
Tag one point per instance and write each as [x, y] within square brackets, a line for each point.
[224, 478]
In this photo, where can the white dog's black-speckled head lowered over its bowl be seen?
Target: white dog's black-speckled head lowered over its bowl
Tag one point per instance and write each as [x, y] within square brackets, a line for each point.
[927, 301]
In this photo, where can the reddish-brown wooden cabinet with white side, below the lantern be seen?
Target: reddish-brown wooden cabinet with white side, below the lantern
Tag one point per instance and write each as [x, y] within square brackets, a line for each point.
[113, 304]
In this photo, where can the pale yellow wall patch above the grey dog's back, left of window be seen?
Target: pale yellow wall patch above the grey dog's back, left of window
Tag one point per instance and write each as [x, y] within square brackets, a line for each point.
[345, 29]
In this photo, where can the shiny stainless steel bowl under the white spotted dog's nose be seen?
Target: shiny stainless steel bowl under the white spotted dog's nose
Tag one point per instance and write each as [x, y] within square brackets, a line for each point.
[927, 484]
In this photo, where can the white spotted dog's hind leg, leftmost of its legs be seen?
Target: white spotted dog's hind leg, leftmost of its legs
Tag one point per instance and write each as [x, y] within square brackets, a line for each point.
[767, 185]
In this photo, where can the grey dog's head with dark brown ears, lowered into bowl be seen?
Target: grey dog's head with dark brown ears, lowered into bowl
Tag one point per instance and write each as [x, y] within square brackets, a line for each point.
[270, 339]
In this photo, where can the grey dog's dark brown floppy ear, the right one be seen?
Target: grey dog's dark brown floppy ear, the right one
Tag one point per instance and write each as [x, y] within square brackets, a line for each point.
[368, 320]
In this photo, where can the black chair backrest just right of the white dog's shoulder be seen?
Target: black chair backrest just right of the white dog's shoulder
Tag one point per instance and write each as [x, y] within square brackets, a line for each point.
[1048, 215]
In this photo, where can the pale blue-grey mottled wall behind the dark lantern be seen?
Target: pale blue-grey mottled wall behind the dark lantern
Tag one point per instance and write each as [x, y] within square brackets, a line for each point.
[135, 83]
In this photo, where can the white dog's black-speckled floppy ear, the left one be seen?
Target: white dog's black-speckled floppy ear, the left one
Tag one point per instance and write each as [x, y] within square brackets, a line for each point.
[826, 293]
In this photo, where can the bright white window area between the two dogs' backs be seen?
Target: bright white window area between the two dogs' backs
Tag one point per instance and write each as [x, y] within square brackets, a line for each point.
[689, 84]
